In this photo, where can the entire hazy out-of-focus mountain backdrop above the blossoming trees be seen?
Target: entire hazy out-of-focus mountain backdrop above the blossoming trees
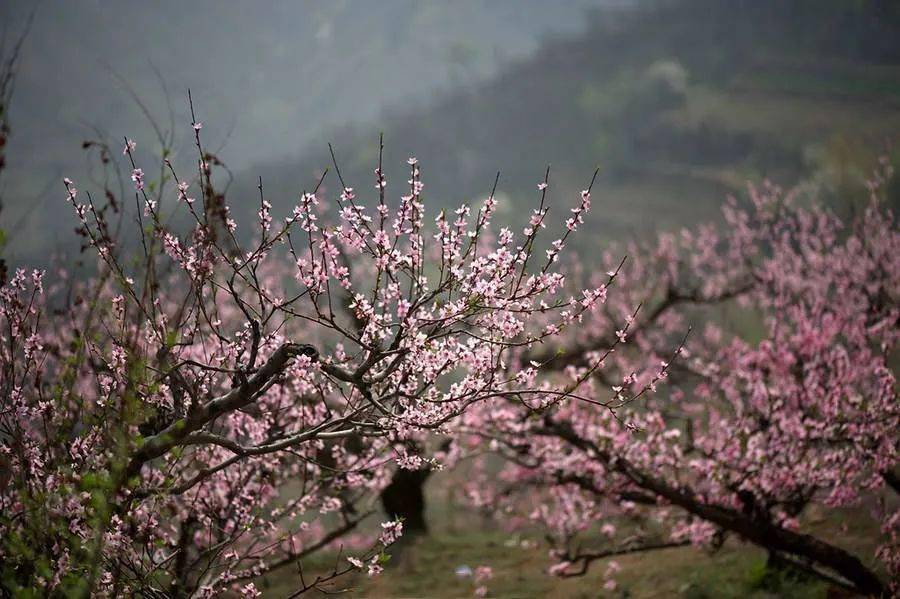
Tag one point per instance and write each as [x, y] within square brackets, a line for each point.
[680, 102]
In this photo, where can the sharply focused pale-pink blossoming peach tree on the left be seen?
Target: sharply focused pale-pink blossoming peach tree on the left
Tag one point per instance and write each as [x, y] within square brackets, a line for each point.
[188, 420]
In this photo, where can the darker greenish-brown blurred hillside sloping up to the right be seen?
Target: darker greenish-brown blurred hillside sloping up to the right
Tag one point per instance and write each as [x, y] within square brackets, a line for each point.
[679, 106]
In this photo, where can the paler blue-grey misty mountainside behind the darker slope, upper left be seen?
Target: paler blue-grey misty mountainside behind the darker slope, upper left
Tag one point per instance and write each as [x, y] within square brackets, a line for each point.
[267, 82]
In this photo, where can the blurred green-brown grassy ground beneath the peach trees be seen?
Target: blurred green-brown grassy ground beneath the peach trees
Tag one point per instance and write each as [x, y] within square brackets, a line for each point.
[426, 566]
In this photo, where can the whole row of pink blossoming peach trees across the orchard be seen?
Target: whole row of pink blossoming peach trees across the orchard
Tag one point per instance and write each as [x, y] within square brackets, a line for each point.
[204, 410]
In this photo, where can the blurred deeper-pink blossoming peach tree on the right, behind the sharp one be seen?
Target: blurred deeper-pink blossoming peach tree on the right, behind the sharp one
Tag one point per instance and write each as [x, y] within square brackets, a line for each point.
[690, 440]
